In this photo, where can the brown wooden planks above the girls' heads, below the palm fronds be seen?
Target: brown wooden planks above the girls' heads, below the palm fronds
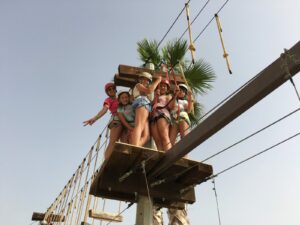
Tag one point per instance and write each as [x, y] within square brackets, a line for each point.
[128, 75]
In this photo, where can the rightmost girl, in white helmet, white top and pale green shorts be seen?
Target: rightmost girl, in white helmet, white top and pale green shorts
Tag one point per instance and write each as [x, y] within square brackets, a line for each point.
[181, 106]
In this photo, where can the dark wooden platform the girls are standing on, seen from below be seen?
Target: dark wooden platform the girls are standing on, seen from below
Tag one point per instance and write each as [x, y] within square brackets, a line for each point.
[125, 157]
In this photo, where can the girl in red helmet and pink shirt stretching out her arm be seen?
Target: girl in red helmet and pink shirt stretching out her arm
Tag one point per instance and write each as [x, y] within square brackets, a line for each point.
[111, 104]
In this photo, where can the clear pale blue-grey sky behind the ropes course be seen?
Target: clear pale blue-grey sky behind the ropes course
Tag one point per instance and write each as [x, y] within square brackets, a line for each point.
[55, 57]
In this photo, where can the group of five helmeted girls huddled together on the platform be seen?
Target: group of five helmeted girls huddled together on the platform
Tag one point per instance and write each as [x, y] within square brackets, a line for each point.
[137, 116]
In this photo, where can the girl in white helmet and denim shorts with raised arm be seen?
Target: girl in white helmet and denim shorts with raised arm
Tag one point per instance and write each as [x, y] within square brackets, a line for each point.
[142, 107]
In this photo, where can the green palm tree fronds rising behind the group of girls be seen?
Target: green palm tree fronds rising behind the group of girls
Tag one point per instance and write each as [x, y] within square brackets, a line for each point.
[199, 75]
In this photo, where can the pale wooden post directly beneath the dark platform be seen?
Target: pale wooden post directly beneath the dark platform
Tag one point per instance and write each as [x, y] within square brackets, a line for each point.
[144, 211]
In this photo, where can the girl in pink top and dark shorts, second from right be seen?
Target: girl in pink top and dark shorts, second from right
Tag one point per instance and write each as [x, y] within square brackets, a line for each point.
[161, 118]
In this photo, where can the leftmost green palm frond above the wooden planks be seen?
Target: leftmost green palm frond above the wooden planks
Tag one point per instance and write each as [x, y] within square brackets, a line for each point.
[149, 52]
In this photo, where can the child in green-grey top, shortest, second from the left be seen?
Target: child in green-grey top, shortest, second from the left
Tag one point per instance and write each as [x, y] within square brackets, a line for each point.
[126, 115]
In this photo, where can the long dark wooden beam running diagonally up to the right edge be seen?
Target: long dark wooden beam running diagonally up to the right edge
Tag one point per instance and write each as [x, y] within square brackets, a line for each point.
[267, 81]
